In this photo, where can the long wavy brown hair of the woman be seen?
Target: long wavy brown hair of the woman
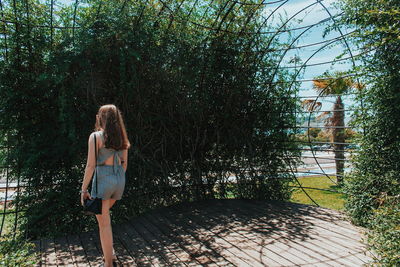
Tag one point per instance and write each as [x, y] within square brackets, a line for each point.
[109, 119]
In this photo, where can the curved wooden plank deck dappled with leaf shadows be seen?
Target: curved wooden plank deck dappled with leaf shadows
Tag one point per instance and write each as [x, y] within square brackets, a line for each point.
[221, 233]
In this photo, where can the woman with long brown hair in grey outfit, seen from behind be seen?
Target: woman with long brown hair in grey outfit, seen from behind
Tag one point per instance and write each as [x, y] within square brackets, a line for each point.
[112, 160]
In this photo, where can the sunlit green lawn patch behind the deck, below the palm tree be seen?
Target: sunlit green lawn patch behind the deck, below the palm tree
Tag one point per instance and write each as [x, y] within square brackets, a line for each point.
[325, 199]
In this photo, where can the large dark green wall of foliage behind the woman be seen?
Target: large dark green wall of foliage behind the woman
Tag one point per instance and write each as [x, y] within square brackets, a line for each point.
[198, 103]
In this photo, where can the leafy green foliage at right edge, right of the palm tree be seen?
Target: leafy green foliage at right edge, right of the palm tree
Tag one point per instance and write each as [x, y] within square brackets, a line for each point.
[377, 165]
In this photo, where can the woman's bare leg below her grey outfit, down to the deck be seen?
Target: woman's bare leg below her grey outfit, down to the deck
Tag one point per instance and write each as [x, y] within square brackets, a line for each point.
[105, 230]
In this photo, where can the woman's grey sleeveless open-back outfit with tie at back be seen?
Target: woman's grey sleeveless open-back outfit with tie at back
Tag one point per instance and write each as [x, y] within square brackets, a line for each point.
[110, 178]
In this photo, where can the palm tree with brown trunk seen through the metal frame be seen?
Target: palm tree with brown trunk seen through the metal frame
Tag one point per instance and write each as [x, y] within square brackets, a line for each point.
[335, 85]
